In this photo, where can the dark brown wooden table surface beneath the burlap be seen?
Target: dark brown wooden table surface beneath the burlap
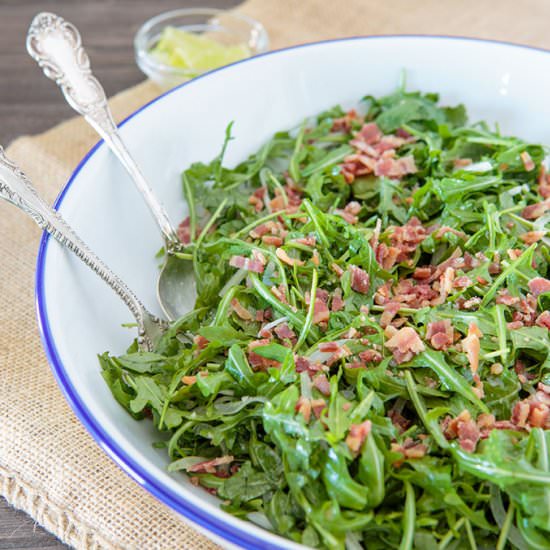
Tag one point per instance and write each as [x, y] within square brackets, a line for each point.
[29, 103]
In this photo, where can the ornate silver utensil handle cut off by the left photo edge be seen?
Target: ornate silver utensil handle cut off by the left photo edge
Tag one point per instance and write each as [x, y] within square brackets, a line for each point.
[16, 188]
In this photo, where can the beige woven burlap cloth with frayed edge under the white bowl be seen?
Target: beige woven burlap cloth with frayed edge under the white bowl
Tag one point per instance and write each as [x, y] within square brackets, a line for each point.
[49, 465]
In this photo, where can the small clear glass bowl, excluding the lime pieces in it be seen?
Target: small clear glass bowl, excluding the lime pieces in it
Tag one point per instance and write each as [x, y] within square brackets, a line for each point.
[227, 27]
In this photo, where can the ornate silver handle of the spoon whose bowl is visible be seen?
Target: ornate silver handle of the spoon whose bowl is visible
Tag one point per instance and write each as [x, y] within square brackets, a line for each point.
[56, 46]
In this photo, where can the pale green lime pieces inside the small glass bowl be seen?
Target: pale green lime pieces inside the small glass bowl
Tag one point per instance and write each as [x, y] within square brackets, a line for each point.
[194, 52]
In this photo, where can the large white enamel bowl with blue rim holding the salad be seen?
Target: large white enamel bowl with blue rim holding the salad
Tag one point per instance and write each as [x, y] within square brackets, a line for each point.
[79, 316]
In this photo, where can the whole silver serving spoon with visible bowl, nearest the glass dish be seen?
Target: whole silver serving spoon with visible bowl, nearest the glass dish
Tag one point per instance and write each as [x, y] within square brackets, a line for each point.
[56, 45]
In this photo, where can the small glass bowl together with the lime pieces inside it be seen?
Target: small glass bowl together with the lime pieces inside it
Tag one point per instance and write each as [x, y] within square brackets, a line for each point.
[176, 46]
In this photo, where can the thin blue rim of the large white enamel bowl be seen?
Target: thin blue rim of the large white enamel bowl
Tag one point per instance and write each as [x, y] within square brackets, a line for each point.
[231, 533]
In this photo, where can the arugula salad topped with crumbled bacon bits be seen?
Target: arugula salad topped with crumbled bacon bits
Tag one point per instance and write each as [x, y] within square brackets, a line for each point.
[368, 361]
